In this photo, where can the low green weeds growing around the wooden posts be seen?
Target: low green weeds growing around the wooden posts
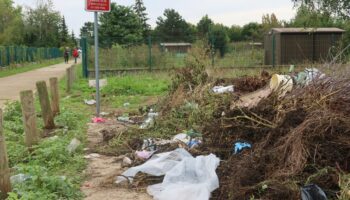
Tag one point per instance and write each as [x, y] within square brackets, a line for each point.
[52, 172]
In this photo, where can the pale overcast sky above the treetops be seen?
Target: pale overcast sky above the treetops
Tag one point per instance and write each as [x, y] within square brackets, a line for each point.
[227, 12]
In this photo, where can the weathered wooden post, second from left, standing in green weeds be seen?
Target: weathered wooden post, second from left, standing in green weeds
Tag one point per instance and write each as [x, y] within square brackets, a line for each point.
[29, 118]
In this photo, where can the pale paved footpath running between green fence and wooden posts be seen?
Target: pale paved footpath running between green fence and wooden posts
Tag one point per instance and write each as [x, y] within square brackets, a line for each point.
[11, 86]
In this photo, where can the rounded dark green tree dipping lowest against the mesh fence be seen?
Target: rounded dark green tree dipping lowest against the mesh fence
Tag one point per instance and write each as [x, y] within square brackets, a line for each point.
[219, 39]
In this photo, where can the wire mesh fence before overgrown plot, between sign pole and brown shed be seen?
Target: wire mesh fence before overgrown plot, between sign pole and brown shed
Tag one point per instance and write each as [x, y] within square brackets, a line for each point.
[153, 53]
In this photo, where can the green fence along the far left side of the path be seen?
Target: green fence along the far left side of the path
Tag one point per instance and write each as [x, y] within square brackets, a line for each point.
[19, 54]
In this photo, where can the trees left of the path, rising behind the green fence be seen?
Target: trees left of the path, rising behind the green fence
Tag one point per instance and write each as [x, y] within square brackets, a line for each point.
[40, 26]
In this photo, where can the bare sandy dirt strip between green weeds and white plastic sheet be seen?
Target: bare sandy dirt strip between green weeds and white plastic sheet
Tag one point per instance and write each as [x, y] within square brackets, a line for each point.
[102, 170]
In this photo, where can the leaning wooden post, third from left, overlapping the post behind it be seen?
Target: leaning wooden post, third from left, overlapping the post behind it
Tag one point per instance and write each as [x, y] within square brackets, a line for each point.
[45, 105]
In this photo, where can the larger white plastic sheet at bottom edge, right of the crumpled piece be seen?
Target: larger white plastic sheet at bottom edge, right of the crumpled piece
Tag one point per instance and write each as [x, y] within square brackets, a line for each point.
[191, 179]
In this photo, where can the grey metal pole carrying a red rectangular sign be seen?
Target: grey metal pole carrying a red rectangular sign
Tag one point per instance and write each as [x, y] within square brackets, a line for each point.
[97, 6]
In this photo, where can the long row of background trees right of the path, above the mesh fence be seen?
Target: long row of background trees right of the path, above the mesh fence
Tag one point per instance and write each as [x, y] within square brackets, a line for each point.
[127, 25]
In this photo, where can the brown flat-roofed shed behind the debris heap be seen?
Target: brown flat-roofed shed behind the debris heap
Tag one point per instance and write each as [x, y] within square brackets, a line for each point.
[284, 46]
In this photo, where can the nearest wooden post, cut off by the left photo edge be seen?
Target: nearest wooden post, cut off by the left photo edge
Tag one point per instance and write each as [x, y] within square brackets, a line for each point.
[5, 184]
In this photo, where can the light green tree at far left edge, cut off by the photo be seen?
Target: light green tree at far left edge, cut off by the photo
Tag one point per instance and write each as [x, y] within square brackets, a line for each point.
[11, 23]
